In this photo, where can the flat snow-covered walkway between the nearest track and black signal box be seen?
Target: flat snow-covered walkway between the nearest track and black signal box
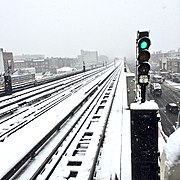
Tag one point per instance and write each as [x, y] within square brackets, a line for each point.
[115, 157]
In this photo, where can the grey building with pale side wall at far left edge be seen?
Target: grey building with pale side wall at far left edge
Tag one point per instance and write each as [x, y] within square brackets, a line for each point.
[6, 62]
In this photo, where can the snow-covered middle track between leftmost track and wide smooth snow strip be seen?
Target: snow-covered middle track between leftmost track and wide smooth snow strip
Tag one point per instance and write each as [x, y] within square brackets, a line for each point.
[39, 102]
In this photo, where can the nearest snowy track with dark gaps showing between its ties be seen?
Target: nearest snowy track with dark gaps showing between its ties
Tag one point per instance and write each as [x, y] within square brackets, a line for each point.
[75, 140]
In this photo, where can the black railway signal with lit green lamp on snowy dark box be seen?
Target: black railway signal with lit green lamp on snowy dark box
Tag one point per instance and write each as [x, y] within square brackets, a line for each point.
[143, 55]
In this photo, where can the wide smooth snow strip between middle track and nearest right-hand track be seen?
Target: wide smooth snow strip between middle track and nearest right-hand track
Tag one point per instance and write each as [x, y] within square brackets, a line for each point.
[18, 144]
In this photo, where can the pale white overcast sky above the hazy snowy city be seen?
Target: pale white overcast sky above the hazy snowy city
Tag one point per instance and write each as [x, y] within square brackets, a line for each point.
[61, 28]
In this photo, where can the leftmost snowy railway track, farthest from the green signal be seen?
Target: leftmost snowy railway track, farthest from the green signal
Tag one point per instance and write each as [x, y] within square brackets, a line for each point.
[44, 90]
